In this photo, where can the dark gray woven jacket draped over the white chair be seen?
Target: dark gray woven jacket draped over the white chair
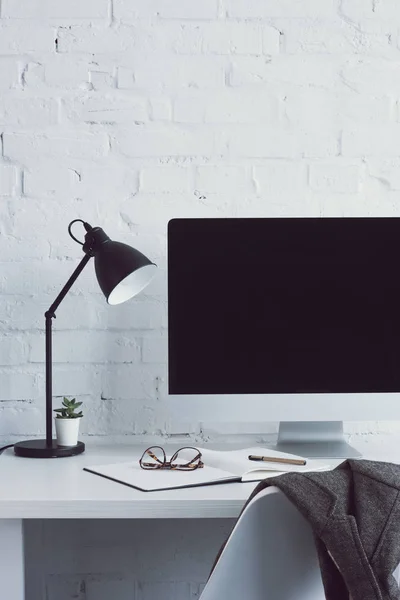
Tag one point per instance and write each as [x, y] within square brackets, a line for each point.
[354, 512]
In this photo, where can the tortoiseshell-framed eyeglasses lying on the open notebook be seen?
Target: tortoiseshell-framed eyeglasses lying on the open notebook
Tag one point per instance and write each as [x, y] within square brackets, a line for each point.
[184, 459]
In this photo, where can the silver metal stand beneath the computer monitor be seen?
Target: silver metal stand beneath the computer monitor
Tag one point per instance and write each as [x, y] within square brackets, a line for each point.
[314, 439]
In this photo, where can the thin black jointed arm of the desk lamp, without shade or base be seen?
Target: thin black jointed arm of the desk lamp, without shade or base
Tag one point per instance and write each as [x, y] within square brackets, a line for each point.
[49, 316]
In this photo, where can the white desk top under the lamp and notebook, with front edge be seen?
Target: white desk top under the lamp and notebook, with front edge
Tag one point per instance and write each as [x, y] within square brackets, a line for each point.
[59, 488]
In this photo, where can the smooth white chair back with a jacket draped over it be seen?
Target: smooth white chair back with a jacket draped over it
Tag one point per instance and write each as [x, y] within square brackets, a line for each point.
[270, 555]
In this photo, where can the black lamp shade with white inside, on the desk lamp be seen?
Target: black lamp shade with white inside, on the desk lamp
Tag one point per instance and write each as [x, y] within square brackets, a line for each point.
[122, 271]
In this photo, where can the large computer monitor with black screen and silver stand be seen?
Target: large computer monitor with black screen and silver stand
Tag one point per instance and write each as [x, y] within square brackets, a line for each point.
[294, 320]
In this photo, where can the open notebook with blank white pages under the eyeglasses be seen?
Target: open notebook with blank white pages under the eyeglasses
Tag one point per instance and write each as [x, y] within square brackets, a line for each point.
[220, 467]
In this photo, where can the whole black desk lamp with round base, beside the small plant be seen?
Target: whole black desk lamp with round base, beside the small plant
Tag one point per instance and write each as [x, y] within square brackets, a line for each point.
[122, 272]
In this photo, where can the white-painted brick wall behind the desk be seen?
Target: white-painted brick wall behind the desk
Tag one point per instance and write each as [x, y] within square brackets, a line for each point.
[129, 112]
